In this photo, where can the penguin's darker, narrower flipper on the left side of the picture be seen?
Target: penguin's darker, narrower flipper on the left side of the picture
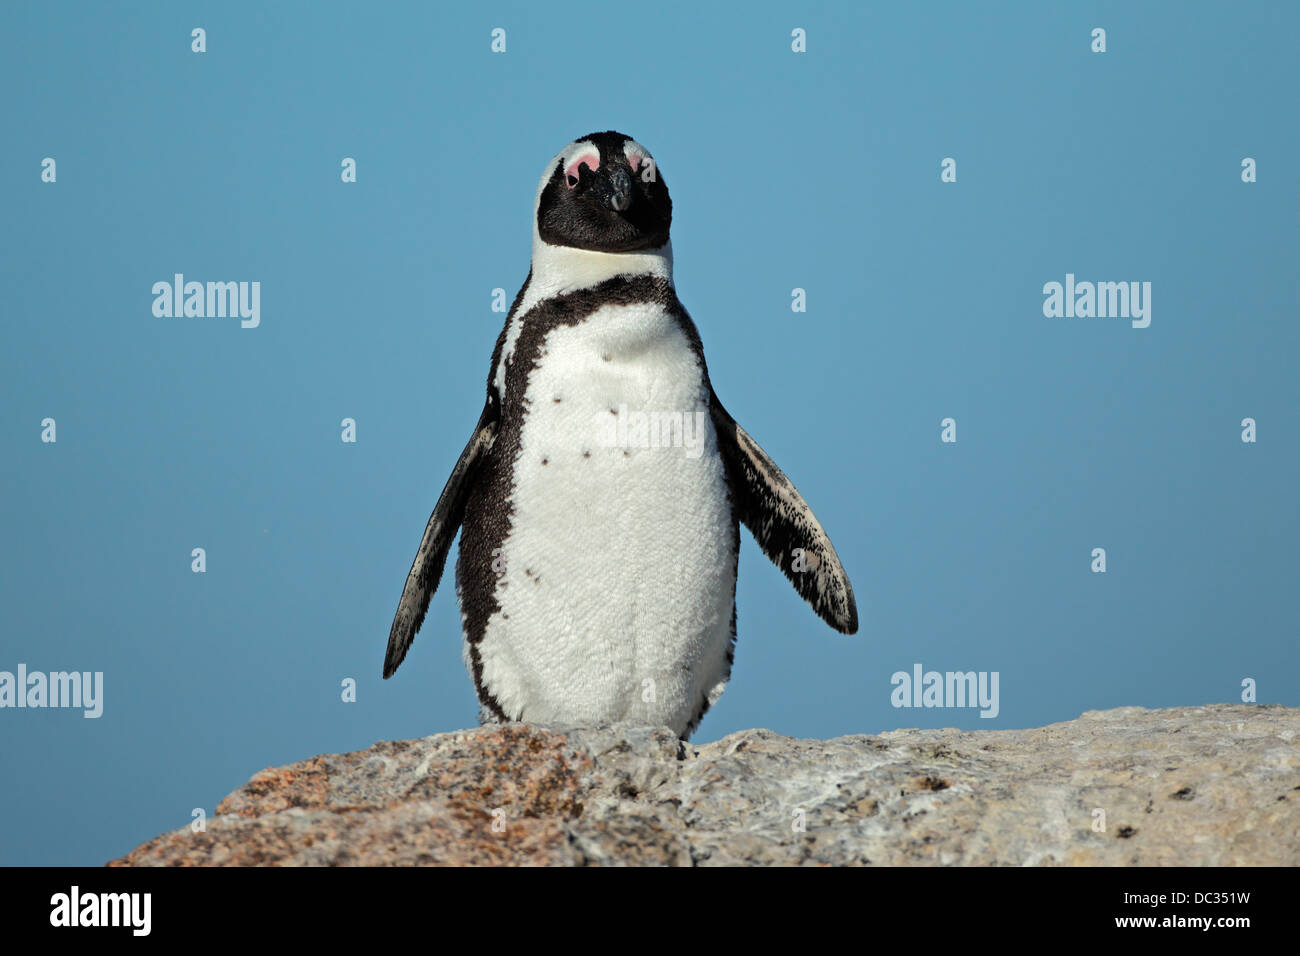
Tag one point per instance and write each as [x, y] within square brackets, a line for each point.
[444, 524]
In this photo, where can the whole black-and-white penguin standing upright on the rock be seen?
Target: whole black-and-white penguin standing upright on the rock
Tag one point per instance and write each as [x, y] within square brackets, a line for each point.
[601, 495]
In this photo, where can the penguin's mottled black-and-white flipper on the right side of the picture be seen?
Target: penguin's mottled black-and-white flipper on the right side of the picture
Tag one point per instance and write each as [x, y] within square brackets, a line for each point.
[782, 522]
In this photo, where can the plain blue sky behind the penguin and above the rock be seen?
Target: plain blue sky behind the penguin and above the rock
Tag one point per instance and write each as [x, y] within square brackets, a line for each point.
[817, 171]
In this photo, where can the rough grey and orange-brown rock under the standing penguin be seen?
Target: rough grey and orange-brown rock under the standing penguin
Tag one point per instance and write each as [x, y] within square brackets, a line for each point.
[1191, 786]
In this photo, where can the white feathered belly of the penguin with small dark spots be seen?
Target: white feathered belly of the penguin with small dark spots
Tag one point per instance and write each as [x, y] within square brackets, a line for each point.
[616, 585]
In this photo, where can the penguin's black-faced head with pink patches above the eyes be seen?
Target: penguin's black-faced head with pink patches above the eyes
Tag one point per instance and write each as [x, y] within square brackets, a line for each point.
[604, 193]
